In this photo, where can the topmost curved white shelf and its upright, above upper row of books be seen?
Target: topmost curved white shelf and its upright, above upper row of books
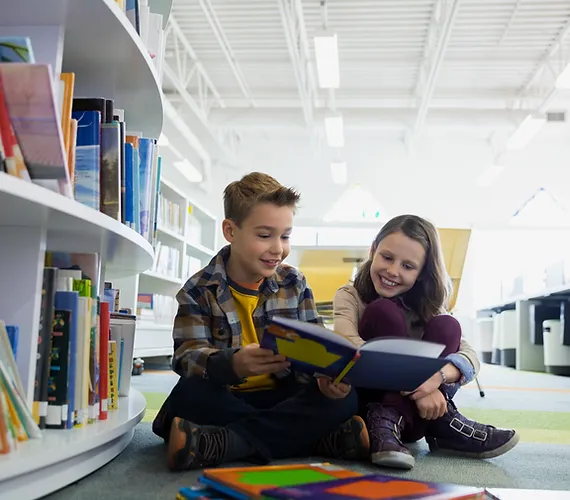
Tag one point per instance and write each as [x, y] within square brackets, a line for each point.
[100, 46]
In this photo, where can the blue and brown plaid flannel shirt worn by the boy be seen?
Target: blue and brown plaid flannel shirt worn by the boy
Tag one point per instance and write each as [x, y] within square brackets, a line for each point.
[207, 320]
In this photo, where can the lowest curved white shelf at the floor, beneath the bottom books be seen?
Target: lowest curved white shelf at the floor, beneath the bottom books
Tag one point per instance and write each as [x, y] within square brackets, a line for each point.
[61, 457]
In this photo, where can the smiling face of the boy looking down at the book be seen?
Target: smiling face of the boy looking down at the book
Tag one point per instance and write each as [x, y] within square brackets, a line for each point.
[260, 243]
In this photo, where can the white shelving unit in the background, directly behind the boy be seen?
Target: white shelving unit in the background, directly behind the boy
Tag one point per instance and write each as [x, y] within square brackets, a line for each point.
[154, 337]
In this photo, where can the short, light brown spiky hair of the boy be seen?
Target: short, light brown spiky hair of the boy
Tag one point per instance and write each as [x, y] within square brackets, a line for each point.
[241, 197]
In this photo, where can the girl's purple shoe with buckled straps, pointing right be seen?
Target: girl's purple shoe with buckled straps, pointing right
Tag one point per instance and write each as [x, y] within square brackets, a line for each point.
[455, 434]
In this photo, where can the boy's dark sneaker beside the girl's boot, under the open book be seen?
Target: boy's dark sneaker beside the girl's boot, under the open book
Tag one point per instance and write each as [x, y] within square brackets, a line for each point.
[348, 442]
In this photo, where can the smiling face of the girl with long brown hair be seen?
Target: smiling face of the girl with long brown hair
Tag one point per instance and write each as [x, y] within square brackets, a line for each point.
[396, 265]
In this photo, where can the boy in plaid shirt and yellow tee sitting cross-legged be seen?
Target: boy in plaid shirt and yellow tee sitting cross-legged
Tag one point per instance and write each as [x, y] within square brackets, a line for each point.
[235, 400]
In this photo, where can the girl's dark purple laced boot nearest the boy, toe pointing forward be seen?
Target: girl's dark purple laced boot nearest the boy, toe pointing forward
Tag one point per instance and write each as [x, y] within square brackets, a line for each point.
[386, 447]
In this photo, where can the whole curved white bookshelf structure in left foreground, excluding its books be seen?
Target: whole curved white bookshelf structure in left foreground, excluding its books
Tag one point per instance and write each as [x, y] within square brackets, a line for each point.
[93, 39]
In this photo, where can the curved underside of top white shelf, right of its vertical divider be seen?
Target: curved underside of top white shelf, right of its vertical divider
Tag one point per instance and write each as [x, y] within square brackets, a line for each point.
[109, 59]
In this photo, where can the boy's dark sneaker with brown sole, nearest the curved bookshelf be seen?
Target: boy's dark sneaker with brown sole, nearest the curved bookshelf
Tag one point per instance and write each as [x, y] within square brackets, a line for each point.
[192, 446]
